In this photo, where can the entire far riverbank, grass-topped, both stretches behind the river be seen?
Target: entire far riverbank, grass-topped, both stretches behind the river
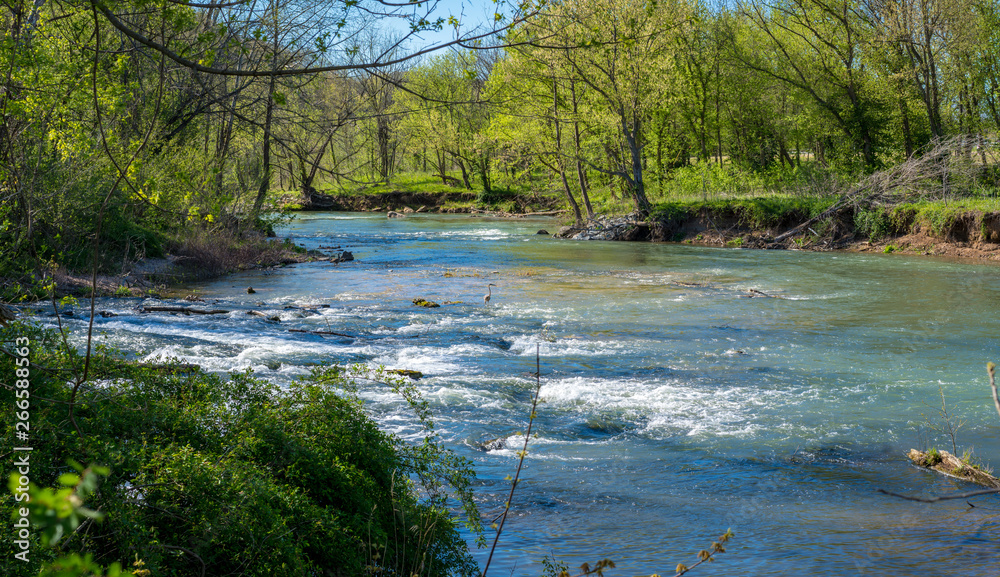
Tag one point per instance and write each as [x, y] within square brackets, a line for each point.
[963, 227]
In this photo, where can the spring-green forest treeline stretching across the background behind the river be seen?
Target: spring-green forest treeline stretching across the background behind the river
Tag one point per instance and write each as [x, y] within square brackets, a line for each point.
[145, 118]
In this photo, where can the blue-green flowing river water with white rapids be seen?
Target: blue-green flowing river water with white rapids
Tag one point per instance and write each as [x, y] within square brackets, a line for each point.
[675, 406]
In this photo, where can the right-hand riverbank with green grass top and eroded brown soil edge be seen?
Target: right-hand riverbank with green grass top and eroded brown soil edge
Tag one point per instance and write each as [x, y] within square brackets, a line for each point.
[932, 229]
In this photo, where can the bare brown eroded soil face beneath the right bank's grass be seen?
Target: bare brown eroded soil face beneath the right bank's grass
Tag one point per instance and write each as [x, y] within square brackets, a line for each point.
[970, 234]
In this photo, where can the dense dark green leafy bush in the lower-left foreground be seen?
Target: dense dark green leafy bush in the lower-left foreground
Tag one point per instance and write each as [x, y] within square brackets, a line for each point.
[237, 475]
